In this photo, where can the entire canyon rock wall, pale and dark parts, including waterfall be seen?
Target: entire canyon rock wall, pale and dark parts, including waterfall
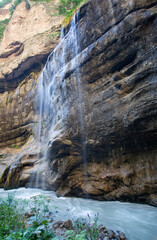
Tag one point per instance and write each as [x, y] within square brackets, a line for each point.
[85, 125]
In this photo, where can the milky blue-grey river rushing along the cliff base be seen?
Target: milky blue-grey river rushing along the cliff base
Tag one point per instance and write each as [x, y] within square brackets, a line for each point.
[137, 221]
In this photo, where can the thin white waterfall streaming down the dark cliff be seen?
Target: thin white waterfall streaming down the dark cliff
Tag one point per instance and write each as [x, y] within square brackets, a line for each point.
[53, 106]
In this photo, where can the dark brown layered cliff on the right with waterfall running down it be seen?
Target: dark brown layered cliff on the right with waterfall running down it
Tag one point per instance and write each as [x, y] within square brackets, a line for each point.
[103, 117]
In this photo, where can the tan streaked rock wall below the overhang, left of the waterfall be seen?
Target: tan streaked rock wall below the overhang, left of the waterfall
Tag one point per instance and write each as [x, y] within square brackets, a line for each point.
[17, 113]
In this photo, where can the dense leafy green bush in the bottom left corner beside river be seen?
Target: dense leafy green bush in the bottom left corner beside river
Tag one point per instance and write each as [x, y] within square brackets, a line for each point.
[15, 225]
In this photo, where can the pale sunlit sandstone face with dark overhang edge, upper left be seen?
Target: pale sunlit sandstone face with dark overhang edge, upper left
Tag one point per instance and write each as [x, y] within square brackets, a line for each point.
[29, 37]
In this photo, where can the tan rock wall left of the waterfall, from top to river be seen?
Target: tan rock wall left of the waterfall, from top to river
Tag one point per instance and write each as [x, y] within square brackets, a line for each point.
[28, 39]
